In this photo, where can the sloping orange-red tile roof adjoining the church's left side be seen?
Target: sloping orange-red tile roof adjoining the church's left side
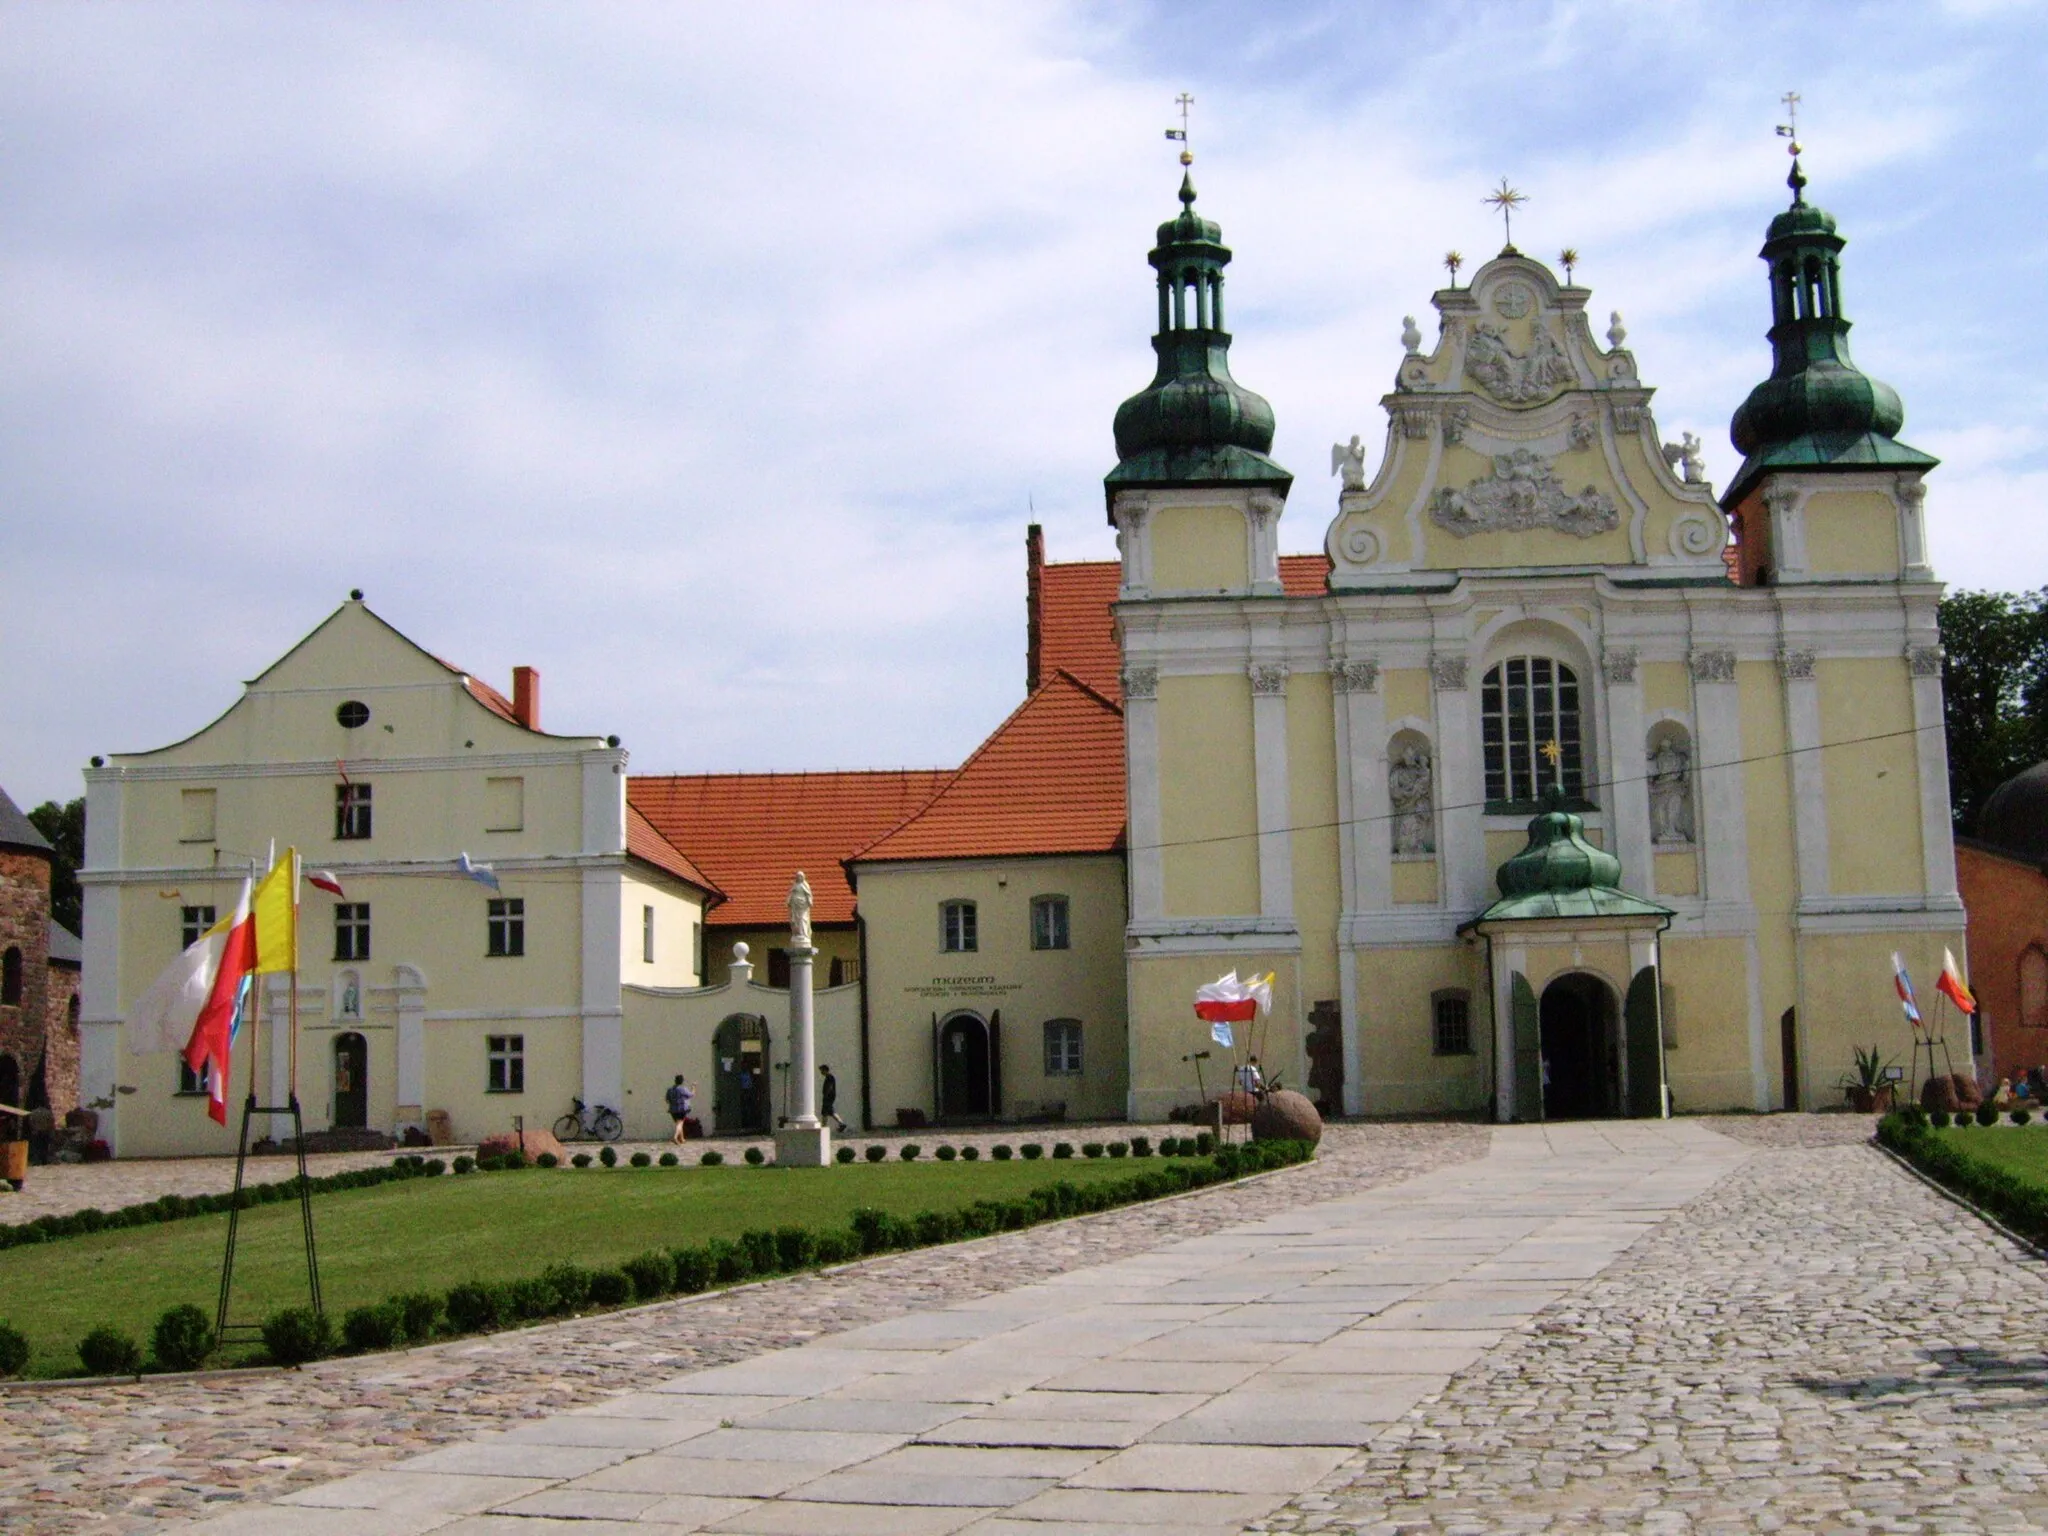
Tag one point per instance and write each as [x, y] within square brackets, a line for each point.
[1050, 781]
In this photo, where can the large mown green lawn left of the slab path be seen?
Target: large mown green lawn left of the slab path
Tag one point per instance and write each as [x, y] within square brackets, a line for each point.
[435, 1234]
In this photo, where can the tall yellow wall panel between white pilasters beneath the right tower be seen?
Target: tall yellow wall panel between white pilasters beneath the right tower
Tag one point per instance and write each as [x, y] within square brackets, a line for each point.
[1873, 785]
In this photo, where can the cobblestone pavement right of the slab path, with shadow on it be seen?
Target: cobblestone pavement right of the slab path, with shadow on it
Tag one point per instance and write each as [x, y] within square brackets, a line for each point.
[1820, 1345]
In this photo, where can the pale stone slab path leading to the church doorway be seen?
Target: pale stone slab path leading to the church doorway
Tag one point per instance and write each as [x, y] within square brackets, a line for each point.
[1191, 1388]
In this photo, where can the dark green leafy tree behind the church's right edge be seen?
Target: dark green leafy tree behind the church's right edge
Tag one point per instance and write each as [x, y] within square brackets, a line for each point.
[1996, 683]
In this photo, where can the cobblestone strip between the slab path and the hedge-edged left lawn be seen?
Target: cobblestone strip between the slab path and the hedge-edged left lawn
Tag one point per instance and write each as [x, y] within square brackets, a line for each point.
[120, 1459]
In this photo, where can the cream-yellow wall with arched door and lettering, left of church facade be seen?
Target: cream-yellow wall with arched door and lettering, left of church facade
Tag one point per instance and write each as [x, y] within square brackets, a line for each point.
[910, 980]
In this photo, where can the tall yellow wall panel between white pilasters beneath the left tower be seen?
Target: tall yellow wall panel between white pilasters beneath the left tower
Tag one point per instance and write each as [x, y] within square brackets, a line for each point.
[1207, 798]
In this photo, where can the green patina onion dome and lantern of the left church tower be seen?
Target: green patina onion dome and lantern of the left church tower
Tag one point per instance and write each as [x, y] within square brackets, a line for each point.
[1193, 425]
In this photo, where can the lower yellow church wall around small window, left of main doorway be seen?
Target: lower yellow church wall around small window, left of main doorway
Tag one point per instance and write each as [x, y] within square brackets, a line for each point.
[1398, 1031]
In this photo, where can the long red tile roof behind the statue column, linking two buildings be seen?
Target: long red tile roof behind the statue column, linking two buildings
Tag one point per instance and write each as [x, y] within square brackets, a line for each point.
[753, 833]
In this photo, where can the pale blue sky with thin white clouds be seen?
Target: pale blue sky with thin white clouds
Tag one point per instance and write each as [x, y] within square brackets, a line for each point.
[712, 359]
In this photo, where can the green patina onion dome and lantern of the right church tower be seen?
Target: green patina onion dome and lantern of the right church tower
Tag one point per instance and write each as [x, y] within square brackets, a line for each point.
[1818, 411]
